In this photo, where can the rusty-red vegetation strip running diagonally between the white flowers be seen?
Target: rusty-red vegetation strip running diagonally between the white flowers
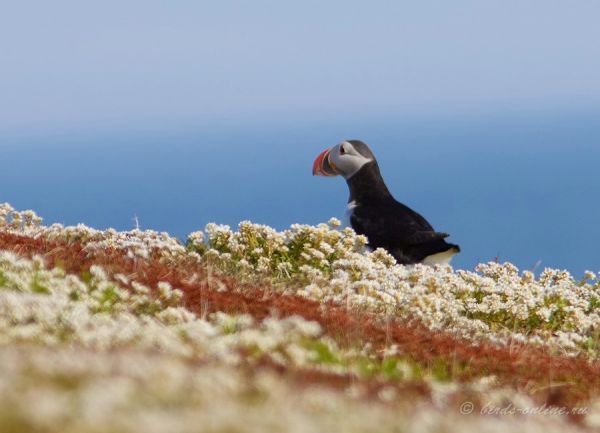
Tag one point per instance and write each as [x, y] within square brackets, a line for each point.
[549, 378]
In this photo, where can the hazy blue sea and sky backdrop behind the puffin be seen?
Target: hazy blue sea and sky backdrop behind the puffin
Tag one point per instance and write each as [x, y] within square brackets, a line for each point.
[485, 116]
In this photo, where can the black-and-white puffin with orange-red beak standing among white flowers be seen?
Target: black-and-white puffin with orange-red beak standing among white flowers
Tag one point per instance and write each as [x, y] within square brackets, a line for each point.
[376, 214]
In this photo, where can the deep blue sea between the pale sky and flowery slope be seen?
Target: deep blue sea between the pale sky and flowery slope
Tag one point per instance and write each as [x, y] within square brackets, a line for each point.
[523, 188]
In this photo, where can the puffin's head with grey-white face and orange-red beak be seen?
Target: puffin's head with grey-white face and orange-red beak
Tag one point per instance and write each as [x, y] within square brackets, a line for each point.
[344, 159]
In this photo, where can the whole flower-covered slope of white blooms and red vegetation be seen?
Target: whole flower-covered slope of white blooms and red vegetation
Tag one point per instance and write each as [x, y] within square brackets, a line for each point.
[302, 330]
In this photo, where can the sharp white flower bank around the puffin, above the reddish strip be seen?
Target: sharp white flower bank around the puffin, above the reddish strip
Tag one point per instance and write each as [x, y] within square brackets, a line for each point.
[495, 302]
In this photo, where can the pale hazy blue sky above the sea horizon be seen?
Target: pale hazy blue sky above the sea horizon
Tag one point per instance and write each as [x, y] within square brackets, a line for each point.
[73, 66]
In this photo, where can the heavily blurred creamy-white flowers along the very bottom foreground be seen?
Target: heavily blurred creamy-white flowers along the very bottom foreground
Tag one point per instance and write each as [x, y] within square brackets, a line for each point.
[78, 390]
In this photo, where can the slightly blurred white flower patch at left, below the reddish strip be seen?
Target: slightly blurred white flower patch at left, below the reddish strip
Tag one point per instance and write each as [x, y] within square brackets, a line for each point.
[50, 307]
